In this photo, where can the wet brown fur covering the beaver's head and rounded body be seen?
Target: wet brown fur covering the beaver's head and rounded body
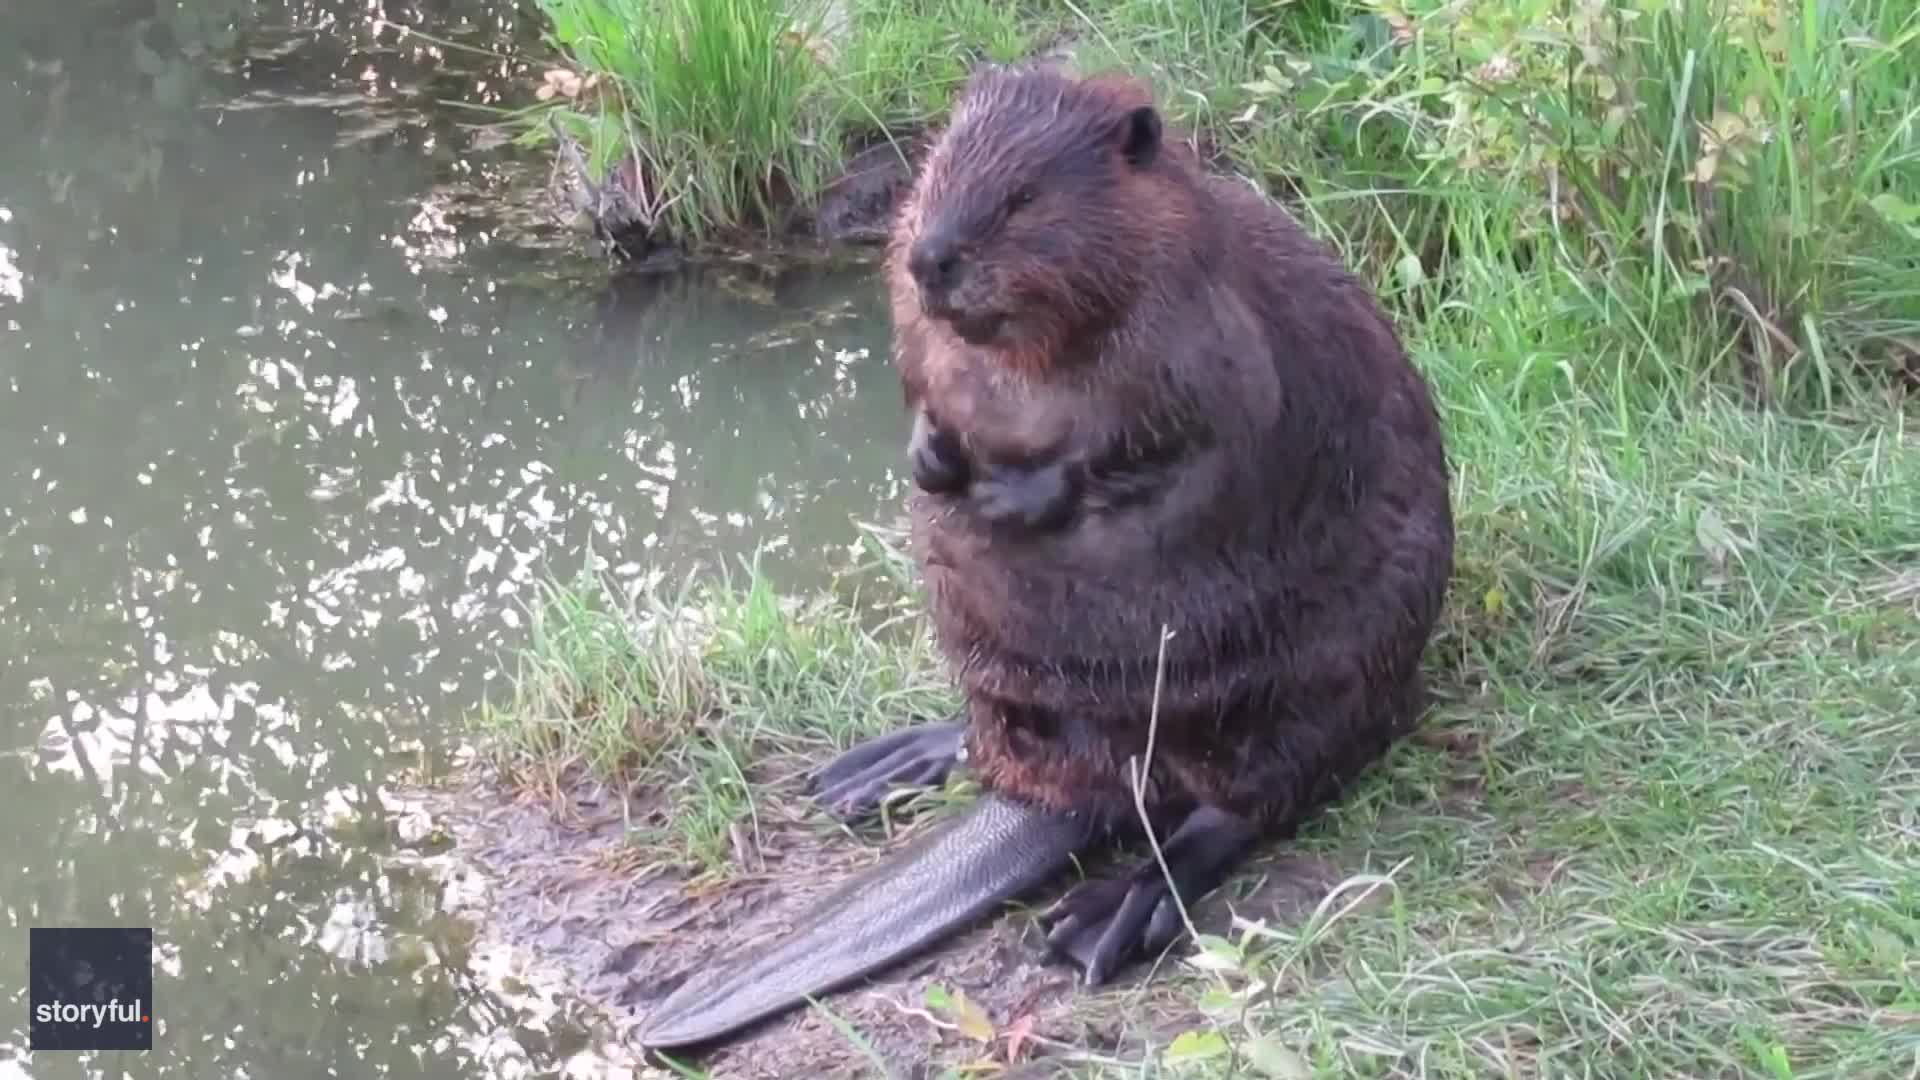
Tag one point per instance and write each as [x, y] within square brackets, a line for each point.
[1262, 470]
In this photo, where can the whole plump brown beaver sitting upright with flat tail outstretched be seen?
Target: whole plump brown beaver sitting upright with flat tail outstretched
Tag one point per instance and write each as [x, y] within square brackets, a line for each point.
[1182, 510]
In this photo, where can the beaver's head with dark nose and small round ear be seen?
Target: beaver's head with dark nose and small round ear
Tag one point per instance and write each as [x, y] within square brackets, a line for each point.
[1040, 210]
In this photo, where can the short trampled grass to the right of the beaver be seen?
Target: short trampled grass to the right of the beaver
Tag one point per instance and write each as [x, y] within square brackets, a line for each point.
[1679, 833]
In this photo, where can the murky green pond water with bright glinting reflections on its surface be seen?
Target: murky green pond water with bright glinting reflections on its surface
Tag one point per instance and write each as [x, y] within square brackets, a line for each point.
[295, 406]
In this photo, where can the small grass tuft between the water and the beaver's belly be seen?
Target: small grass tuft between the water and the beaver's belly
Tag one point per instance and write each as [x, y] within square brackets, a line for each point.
[690, 700]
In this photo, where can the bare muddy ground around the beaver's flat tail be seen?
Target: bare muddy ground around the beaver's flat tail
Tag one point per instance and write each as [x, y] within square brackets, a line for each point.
[556, 893]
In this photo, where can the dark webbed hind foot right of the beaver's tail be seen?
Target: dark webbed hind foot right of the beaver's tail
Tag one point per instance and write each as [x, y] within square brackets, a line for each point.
[1107, 923]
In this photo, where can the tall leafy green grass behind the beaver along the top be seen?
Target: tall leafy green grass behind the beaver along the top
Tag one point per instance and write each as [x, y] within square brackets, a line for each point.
[1706, 189]
